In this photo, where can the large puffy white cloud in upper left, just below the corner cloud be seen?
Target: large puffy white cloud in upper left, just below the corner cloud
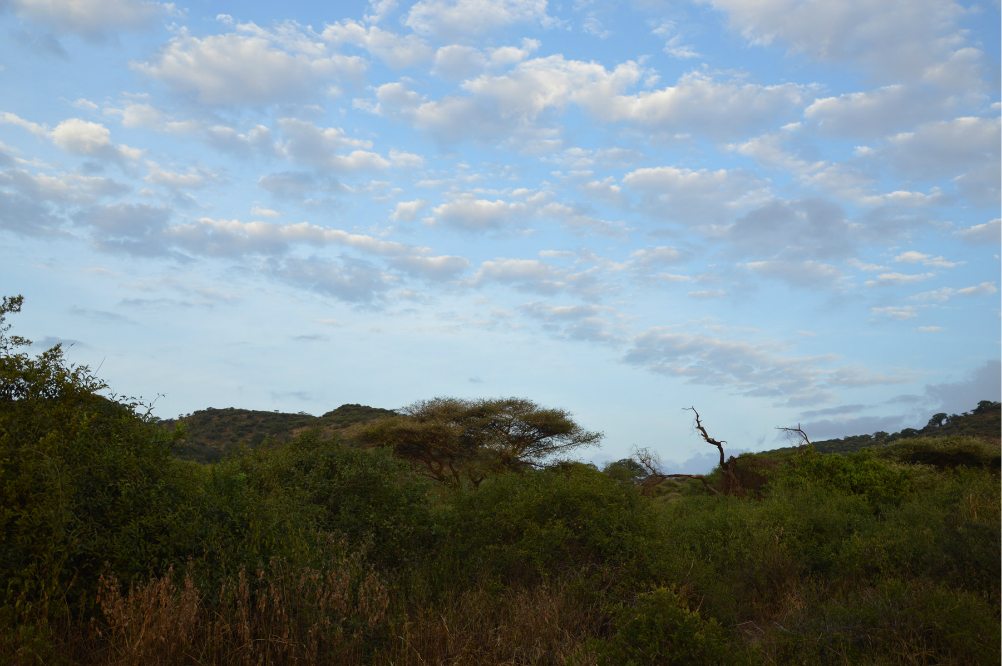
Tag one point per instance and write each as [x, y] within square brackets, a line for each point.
[256, 69]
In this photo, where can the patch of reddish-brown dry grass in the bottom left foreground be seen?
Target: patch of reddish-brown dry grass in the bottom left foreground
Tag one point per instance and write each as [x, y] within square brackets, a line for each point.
[307, 617]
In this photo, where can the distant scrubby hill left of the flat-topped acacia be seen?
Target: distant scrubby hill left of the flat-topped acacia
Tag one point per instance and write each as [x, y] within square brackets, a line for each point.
[211, 433]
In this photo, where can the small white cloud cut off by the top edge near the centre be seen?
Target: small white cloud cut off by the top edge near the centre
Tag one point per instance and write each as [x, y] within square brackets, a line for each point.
[466, 20]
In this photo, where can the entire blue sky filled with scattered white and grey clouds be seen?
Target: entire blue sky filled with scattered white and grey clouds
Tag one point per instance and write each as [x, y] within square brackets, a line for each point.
[779, 213]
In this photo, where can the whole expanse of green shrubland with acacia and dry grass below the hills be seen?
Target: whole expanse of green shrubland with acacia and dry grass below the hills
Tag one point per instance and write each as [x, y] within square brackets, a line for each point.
[352, 549]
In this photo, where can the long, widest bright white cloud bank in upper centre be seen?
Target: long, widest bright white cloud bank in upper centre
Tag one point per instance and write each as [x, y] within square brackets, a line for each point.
[535, 91]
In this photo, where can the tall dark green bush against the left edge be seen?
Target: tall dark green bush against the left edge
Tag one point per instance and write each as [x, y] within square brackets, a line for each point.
[85, 481]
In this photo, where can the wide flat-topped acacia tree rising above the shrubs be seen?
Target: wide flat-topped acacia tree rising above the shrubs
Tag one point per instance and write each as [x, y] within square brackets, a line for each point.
[452, 439]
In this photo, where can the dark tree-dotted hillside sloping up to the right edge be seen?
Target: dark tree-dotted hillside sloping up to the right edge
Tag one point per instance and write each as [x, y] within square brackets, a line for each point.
[984, 422]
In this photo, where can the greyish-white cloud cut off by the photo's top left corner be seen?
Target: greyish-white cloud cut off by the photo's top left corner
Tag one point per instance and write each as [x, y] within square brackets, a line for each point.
[93, 19]
